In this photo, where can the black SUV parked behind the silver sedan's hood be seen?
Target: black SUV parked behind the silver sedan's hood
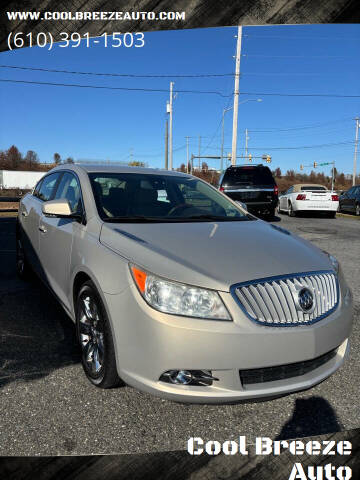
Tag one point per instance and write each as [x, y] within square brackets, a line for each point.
[253, 185]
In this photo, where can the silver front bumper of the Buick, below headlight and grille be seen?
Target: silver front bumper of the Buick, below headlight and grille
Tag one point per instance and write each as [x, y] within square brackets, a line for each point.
[148, 343]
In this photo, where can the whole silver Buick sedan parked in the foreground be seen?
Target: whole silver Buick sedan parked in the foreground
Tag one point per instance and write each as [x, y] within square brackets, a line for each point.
[177, 290]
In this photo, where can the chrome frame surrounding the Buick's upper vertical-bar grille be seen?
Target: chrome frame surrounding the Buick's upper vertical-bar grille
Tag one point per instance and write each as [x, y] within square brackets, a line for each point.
[283, 277]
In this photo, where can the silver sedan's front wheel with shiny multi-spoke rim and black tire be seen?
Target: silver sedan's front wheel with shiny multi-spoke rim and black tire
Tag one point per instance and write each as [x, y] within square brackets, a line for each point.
[95, 338]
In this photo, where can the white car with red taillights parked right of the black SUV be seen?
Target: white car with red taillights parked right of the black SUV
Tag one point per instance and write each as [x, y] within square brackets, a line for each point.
[308, 197]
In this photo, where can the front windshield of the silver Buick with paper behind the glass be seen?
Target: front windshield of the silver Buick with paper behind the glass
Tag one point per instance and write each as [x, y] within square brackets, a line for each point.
[139, 197]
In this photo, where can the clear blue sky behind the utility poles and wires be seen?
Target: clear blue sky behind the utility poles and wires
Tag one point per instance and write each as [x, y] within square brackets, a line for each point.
[119, 125]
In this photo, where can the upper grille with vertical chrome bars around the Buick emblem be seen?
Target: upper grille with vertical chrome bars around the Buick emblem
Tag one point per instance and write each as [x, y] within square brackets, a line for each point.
[276, 301]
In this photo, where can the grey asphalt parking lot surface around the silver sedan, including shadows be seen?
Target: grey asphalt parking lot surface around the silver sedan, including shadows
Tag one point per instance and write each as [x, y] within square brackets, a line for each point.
[49, 408]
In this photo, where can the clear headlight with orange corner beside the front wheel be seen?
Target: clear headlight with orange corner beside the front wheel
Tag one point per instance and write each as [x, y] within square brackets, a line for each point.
[178, 298]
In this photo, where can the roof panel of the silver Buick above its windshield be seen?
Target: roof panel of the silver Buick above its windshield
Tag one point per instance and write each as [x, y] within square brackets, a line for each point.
[99, 168]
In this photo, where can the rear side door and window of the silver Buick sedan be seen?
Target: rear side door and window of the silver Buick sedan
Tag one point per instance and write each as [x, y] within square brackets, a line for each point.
[29, 215]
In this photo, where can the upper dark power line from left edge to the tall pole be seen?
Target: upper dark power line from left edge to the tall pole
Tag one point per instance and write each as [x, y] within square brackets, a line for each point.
[131, 75]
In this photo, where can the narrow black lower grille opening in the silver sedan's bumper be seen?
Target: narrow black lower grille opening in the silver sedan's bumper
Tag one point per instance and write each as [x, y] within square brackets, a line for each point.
[283, 372]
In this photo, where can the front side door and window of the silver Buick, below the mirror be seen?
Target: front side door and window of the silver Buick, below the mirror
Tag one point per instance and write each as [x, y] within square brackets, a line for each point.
[57, 236]
